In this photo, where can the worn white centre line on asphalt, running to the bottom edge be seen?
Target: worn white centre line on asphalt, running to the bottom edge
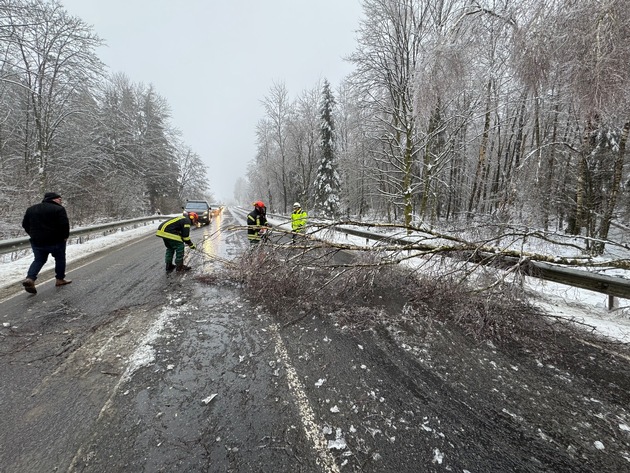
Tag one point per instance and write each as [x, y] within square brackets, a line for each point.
[307, 415]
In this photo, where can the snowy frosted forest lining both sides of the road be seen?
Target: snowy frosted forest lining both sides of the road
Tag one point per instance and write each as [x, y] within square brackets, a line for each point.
[511, 113]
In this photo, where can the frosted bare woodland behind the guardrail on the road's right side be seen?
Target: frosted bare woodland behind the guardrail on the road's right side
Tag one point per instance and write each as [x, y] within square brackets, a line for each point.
[493, 110]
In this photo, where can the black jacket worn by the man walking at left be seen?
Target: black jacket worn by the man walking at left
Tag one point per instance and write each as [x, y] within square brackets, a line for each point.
[46, 223]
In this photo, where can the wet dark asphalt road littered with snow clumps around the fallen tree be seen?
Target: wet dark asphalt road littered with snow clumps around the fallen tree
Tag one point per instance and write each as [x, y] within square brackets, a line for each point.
[129, 369]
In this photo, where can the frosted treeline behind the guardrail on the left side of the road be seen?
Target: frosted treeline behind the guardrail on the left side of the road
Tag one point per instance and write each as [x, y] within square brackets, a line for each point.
[105, 143]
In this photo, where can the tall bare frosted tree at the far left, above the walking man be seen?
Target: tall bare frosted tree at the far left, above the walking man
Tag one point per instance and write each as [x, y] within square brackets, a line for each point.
[54, 55]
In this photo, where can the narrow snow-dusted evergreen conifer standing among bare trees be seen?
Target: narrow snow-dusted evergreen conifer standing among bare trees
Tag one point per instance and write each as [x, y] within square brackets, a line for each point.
[327, 185]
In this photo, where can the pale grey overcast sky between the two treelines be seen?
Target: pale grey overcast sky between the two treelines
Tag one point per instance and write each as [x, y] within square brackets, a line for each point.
[215, 60]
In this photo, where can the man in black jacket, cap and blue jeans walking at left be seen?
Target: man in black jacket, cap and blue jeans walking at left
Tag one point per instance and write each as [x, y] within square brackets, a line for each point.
[48, 226]
